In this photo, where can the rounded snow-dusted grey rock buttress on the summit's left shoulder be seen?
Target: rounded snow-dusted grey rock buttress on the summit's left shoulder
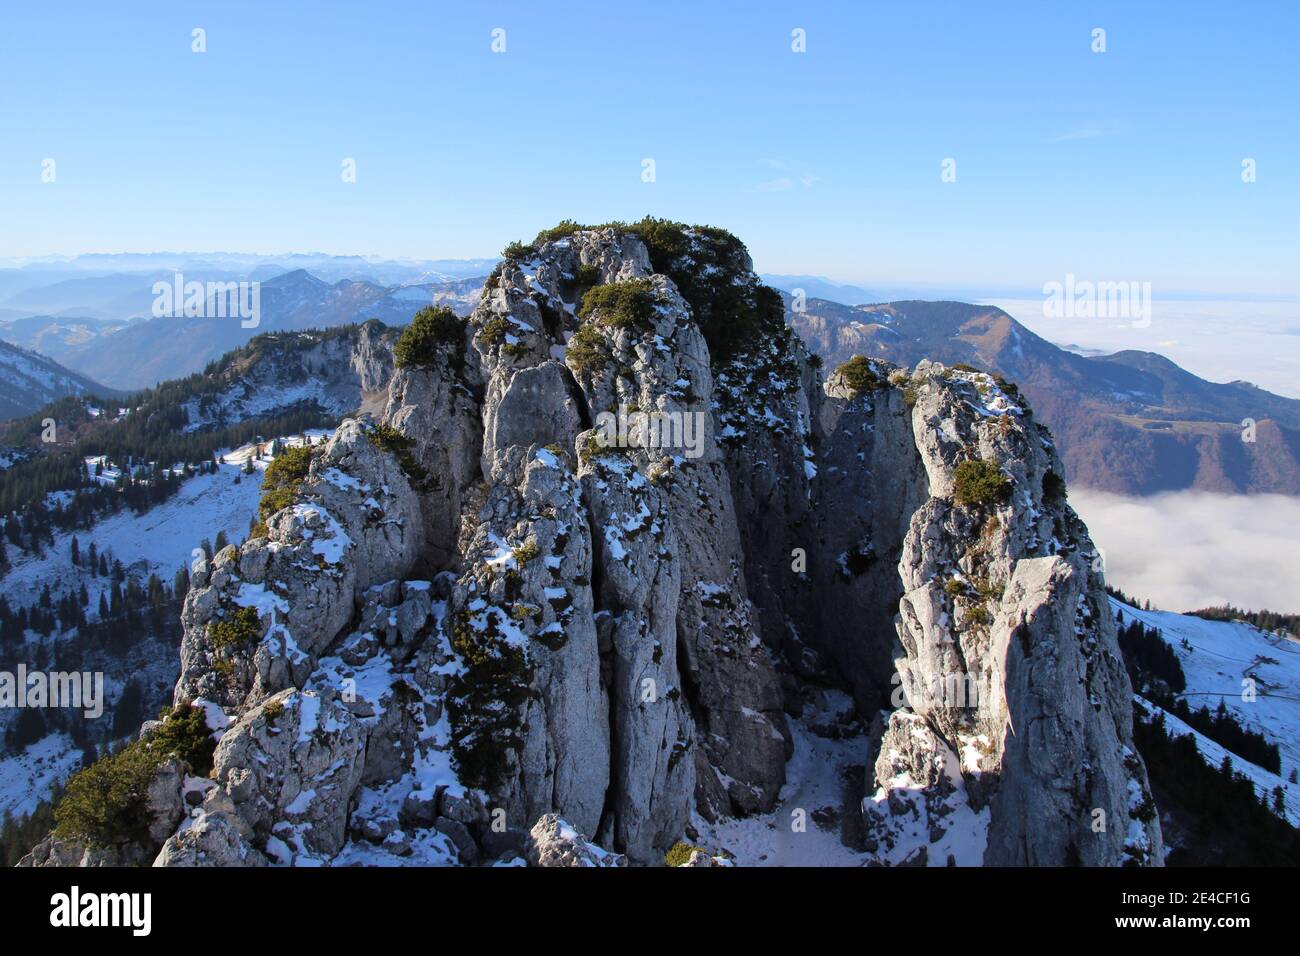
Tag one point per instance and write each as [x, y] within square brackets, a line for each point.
[356, 521]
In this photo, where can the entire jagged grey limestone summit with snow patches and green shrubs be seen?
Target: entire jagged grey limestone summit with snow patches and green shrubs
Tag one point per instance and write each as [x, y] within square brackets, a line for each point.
[612, 561]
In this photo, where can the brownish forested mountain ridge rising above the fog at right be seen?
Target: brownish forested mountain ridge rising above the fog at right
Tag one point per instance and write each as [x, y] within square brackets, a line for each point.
[1132, 423]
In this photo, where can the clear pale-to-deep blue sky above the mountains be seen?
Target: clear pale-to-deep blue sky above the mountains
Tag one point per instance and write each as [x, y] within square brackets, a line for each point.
[1121, 166]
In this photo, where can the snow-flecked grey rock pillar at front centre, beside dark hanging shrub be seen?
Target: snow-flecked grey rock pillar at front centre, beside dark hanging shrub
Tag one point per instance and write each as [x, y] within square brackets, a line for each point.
[521, 602]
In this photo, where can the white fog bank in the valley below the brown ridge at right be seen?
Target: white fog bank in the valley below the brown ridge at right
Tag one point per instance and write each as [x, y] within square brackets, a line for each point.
[1197, 550]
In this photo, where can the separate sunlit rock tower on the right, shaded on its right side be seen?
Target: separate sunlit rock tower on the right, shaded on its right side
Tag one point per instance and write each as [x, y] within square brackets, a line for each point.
[1008, 652]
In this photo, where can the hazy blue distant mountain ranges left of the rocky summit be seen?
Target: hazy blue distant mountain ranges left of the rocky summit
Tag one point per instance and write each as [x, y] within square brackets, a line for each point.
[94, 313]
